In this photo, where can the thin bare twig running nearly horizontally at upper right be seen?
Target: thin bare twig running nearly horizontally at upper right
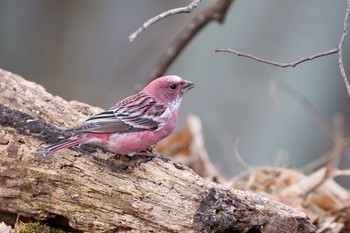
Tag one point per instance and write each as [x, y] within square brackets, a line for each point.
[279, 64]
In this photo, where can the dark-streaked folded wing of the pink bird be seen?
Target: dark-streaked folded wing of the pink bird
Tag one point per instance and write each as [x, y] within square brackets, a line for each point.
[135, 113]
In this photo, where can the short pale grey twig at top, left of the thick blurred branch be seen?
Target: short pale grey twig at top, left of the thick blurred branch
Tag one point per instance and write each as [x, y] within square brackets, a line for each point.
[165, 14]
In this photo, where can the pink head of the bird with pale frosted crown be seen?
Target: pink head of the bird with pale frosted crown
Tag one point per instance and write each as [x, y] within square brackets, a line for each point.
[168, 89]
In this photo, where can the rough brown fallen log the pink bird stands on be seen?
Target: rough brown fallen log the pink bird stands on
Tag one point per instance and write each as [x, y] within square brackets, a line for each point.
[88, 190]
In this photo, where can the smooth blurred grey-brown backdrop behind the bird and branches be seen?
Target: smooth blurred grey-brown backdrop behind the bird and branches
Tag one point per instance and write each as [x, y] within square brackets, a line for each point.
[79, 50]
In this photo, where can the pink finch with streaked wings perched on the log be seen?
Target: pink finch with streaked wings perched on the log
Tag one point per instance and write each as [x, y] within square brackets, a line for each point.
[135, 123]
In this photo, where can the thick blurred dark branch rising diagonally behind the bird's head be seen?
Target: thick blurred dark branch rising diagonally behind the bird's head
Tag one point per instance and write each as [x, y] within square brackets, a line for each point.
[215, 12]
